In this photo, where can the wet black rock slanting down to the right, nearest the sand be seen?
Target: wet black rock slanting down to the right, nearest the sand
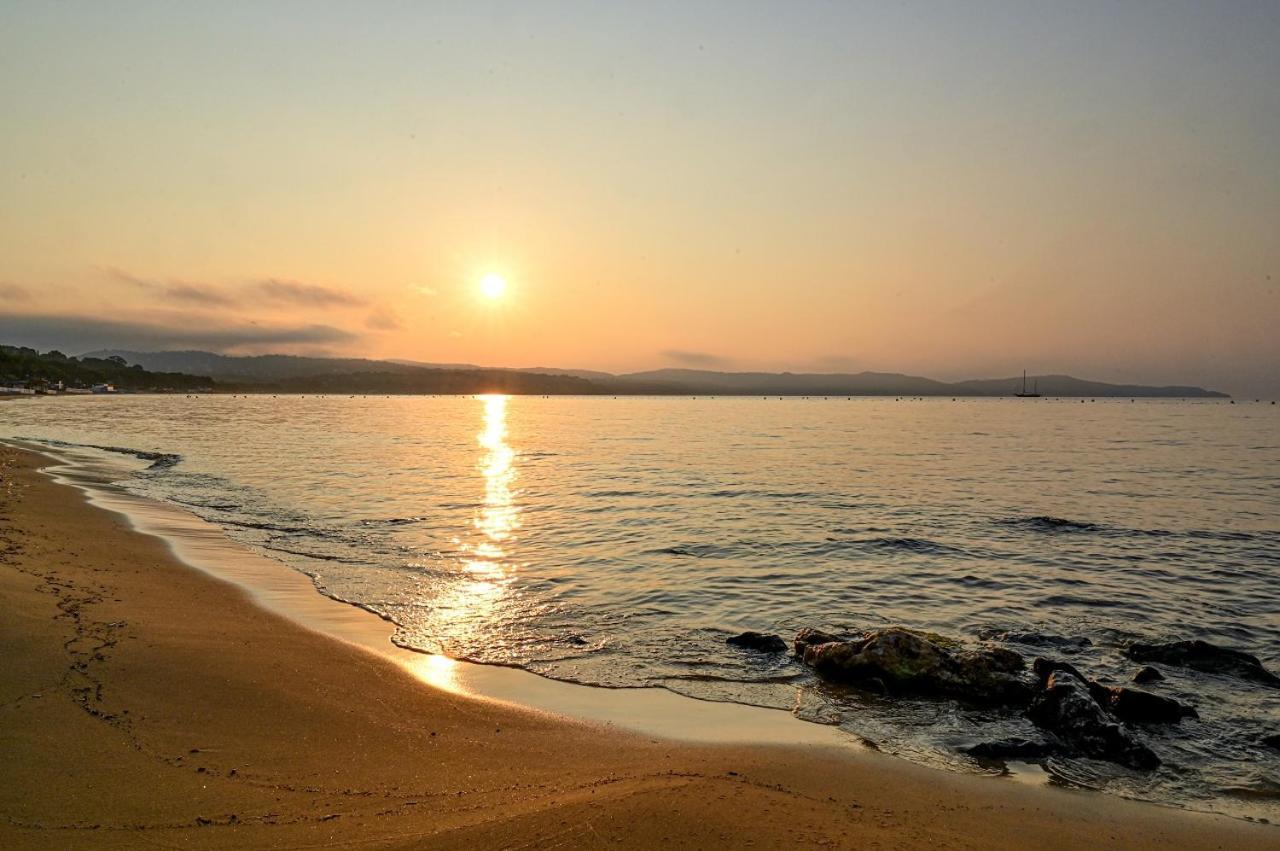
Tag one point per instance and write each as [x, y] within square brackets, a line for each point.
[1067, 710]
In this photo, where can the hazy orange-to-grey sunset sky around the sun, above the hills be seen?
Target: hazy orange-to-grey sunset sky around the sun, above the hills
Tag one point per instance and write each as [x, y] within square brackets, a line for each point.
[954, 190]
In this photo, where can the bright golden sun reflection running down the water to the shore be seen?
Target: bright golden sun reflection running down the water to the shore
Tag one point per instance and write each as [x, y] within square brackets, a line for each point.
[486, 560]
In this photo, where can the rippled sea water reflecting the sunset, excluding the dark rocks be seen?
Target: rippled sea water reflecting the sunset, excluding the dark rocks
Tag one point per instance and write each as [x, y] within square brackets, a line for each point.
[619, 542]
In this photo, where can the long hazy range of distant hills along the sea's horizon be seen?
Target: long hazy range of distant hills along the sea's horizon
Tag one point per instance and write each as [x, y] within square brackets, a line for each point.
[291, 374]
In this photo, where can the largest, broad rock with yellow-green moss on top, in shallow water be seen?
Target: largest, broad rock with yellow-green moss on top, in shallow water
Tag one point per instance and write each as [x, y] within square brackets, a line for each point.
[913, 662]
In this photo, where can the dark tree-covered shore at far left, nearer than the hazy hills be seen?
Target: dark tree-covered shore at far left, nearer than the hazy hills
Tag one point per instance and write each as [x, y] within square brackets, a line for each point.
[28, 368]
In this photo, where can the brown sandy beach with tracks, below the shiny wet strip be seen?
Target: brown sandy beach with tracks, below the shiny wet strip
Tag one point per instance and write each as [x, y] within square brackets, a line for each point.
[144, 703]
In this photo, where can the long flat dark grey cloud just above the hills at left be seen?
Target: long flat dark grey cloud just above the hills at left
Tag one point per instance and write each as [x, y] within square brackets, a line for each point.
[88, 333]
